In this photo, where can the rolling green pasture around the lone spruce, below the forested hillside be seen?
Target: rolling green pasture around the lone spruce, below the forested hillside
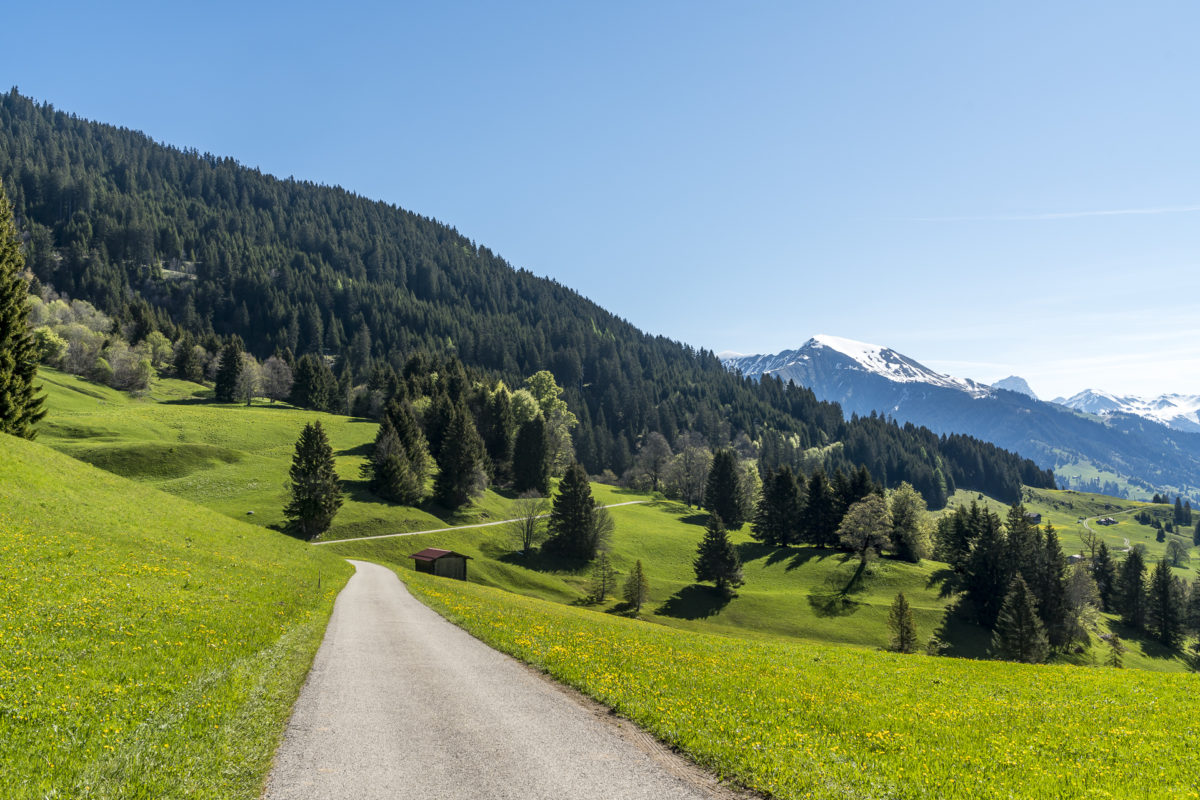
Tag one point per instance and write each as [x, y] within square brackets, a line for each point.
[231, 459]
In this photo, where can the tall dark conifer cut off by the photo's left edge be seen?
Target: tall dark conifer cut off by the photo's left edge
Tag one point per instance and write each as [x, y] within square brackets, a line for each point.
[21, 408]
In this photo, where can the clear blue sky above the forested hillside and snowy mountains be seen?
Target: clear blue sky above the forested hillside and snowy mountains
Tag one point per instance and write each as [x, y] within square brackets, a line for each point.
[987, 188]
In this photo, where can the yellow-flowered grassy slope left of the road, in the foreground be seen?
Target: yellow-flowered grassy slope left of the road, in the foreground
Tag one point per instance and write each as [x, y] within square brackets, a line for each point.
[149, 648]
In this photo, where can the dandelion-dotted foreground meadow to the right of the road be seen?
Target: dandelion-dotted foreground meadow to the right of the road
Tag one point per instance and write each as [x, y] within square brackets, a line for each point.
[806, 720]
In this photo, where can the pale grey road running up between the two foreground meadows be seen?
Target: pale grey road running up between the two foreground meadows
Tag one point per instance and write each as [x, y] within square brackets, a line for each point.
[400, 703]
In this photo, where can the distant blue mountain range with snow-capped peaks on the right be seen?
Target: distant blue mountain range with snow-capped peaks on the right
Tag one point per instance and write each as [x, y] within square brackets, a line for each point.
[1127, 447]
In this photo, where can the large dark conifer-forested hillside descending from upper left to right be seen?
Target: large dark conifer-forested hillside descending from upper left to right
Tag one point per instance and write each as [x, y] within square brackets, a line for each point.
[203, 250]
